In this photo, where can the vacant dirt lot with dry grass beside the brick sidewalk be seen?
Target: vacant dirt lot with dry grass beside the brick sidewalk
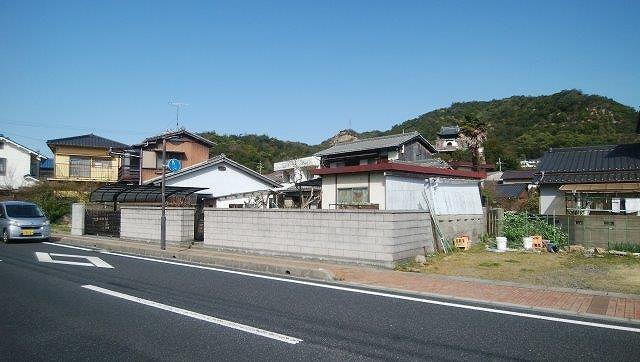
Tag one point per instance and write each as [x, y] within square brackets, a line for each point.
[604, 273]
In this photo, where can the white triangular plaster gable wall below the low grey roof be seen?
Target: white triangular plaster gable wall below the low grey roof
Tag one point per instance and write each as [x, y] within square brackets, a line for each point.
[220, 183]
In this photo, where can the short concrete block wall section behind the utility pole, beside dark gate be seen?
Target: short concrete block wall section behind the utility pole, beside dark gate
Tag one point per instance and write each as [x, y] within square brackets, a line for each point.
[143, 223]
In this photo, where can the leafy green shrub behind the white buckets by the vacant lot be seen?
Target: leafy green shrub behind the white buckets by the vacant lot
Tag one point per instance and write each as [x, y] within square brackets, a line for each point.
[517, 225]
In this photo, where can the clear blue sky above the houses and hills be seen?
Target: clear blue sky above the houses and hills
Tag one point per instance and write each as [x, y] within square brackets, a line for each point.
[298, 70]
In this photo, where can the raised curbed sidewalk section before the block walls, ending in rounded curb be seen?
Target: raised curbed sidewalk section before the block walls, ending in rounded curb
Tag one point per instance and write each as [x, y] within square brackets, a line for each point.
[289, 270]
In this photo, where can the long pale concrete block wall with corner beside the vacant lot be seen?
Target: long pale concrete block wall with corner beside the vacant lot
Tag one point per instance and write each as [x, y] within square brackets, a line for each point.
[374, 237]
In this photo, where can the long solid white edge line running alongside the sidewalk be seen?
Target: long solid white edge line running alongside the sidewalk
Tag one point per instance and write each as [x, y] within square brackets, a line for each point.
[394, 296]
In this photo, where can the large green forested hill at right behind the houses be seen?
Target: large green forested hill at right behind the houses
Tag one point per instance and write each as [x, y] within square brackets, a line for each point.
[528, 126]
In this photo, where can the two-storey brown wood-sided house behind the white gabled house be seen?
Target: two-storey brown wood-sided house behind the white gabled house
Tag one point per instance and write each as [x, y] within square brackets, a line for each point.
[143, 161]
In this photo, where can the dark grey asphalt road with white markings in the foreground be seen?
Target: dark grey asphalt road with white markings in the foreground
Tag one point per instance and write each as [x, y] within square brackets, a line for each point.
[148, 310]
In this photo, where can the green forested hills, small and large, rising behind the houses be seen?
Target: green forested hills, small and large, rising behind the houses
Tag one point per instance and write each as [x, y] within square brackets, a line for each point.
[518, 126]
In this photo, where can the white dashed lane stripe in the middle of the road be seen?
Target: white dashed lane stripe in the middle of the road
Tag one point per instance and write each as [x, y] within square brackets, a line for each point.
[202, 317]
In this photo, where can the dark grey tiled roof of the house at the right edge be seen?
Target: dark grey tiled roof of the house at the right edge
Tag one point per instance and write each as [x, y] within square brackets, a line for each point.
[594, 164]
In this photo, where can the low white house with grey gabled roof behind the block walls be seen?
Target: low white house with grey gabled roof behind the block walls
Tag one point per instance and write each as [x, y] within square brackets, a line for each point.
[229, 183]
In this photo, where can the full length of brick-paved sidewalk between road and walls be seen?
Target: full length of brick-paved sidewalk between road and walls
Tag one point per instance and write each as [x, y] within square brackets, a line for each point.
[572, 301]
